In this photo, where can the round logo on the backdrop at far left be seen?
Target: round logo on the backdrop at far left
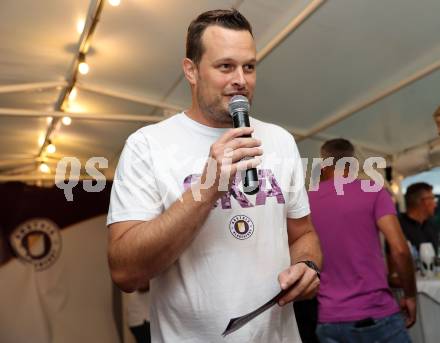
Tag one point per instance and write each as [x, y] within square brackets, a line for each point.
[37, 241]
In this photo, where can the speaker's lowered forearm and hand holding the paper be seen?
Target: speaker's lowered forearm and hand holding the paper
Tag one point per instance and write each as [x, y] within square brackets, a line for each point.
[303, 245]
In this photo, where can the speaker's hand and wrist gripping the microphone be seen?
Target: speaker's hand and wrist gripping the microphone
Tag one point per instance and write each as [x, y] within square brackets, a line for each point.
[230, 153]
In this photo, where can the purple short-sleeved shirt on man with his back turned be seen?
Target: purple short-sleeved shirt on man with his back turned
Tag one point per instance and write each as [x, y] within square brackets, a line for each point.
[353, 279]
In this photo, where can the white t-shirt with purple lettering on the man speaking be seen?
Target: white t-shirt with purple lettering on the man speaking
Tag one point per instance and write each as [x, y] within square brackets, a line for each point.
[232, 265]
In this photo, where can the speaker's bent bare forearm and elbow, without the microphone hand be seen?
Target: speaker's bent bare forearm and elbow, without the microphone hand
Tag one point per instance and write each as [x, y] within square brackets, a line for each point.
[139, 250]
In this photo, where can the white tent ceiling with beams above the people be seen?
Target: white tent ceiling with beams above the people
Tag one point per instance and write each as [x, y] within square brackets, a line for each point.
[365, 70]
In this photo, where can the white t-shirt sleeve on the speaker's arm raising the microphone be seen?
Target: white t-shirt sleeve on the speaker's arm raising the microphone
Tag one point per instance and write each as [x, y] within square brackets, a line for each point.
[134, 195]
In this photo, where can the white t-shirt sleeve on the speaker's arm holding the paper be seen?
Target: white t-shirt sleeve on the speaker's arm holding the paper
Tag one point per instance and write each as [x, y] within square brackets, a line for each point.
[298, 204]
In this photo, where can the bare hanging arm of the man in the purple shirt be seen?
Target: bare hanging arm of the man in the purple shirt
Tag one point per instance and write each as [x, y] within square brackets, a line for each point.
[401, 256]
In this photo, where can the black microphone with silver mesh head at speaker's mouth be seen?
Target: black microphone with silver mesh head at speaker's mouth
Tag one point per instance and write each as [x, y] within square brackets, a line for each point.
[239, 109]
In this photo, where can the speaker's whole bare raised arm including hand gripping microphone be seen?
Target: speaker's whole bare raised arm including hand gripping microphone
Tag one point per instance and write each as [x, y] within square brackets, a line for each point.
[140, 250]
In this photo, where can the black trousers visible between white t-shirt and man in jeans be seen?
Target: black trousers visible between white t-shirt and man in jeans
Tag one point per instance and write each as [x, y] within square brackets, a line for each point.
[306, 313]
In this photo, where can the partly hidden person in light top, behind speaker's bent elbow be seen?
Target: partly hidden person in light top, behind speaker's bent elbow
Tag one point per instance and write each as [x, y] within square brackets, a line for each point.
[138, 318]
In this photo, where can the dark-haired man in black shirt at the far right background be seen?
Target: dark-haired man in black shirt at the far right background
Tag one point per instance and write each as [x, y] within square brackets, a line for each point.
[420, 208]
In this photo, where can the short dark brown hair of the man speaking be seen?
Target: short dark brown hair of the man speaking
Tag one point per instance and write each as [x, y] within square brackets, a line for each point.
[229, 19]
